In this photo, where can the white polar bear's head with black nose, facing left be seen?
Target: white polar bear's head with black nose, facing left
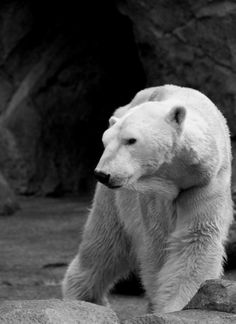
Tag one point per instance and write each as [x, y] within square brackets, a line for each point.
[138, 143]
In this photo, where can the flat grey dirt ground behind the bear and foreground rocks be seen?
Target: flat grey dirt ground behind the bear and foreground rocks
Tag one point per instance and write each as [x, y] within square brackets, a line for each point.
[36, 245]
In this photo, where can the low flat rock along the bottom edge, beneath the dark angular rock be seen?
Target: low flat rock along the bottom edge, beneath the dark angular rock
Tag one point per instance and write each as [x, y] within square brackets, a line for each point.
[185, 317]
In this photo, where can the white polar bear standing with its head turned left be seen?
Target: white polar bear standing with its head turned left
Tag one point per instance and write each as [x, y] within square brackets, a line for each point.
[163, 204]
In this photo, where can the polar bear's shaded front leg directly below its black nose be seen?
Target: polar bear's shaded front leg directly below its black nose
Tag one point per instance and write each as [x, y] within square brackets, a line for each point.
[104, 253]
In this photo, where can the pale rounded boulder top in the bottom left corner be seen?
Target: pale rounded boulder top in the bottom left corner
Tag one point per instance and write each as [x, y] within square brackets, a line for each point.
[55, 312]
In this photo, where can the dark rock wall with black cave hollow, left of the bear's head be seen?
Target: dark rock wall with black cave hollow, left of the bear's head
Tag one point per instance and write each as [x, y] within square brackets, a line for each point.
[64, 69]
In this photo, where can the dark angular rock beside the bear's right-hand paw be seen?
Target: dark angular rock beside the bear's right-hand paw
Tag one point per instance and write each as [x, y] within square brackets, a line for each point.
[218, 295]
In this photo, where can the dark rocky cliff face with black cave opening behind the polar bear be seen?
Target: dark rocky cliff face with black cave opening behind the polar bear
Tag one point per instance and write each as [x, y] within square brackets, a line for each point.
[65, 68]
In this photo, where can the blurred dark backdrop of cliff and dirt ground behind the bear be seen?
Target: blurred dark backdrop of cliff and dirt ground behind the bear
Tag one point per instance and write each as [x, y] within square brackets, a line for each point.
[64, 67]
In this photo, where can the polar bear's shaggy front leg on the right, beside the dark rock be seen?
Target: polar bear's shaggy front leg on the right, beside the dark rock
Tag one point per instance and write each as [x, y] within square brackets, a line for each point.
[195, 249]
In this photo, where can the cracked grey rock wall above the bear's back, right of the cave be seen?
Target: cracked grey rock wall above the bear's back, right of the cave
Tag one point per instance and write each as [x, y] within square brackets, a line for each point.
[190, 43]
